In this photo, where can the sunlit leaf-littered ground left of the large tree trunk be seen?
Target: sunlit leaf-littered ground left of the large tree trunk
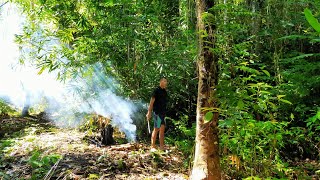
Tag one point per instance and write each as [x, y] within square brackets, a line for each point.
[33, 149]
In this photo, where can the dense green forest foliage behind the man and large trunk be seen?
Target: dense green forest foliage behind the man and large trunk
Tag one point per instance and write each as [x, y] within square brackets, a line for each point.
[269, 81]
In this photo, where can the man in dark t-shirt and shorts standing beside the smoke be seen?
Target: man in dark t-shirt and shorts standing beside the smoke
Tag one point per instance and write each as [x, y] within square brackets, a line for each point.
[158, 104]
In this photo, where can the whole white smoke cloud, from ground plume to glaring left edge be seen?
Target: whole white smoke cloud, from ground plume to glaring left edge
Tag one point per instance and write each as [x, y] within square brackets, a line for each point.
[66, 103]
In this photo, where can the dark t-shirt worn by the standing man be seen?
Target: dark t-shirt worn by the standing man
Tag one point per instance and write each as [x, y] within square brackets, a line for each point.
[161, 100]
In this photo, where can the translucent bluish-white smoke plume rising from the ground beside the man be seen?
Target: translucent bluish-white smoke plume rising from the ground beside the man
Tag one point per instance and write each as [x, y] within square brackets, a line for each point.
[95, 93]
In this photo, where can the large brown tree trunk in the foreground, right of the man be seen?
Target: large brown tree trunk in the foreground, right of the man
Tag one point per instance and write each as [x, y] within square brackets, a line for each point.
[206, 162]
